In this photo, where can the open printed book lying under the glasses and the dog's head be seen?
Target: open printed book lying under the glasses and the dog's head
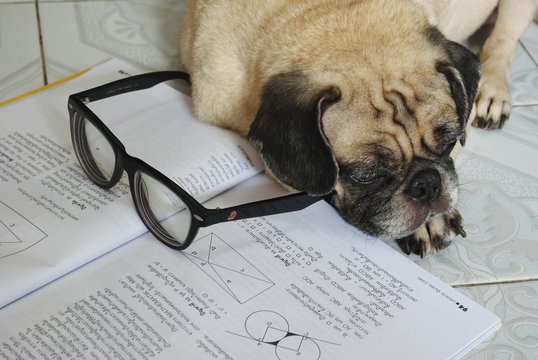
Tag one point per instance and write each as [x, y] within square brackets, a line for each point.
[81, 278]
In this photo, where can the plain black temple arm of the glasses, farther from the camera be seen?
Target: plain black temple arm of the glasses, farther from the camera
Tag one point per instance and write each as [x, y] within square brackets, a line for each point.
[133, 83]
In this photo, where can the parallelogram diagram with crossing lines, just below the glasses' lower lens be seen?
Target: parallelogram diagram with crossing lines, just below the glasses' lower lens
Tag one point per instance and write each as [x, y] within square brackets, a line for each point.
[228, 268]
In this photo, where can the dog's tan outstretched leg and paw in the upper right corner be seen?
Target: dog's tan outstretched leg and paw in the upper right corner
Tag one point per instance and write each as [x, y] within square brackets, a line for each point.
[493, 100]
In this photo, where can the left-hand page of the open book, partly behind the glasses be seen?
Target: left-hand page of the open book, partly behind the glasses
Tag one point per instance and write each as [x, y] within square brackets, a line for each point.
[52, 218]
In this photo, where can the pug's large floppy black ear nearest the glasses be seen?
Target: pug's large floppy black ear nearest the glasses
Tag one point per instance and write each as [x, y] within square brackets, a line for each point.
[288, 133]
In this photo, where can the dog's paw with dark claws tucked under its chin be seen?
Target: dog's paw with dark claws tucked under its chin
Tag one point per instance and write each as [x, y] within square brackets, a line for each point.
[435, 235]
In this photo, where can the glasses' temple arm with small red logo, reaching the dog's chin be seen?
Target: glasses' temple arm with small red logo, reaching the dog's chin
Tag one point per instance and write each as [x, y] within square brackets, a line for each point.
[284, 204]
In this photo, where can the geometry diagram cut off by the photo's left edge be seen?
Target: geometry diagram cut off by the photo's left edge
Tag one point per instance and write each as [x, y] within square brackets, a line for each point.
[16, 232]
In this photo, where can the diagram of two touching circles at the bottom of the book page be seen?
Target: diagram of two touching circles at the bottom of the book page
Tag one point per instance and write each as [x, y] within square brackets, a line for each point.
[270, 328]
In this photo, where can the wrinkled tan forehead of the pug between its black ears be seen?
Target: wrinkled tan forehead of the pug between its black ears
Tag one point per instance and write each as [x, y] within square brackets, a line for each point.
[396, 119]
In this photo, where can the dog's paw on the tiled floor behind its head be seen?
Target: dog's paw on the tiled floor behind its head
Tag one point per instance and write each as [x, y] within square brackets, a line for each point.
[493, 101]
